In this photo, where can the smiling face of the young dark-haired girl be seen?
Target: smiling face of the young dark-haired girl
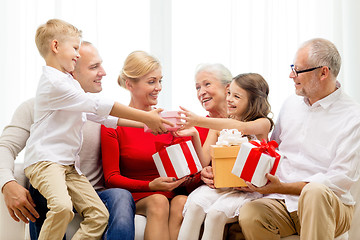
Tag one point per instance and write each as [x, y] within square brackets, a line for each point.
[237, 100]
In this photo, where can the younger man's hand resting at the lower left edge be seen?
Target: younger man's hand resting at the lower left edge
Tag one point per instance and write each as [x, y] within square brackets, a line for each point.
[19, 202]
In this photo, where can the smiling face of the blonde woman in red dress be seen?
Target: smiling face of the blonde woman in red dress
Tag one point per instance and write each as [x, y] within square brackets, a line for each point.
[145, 92]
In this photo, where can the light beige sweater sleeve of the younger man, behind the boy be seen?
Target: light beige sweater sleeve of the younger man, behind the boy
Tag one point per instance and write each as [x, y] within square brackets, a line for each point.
[13, 140]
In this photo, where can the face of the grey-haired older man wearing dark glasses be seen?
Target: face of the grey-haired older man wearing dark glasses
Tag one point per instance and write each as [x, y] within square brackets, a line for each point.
[307, 83]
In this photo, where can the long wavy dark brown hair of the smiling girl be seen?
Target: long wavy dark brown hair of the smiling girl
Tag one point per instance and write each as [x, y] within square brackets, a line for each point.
[258, 90]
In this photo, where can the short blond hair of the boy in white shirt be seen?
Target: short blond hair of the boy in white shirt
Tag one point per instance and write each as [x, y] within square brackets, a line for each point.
[54, 29]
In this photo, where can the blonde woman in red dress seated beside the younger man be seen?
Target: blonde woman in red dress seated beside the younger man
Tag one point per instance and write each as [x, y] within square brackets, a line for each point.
[127, 153]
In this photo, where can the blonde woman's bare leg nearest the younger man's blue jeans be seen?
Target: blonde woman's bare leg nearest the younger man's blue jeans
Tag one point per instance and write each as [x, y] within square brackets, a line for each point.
[156, 210]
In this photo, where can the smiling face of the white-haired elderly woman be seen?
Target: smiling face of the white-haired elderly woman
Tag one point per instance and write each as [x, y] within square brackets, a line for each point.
[210, 92]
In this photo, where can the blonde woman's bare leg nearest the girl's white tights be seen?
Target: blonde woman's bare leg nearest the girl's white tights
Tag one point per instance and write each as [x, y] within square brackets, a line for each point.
[176, 218]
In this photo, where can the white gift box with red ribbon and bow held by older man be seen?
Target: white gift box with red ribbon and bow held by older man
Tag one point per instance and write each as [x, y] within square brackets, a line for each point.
[253, 162]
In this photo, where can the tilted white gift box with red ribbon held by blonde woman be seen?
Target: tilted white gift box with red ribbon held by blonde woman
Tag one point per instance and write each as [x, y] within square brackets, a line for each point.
[177, 160]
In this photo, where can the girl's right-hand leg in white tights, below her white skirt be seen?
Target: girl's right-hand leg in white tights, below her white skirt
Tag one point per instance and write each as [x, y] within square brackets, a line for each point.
[214, 225]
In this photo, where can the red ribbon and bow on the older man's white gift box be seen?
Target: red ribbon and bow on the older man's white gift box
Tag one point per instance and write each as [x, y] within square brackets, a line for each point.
[254, 157]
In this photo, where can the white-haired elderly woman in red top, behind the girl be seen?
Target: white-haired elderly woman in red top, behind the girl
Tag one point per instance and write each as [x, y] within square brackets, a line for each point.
[211, 82]
